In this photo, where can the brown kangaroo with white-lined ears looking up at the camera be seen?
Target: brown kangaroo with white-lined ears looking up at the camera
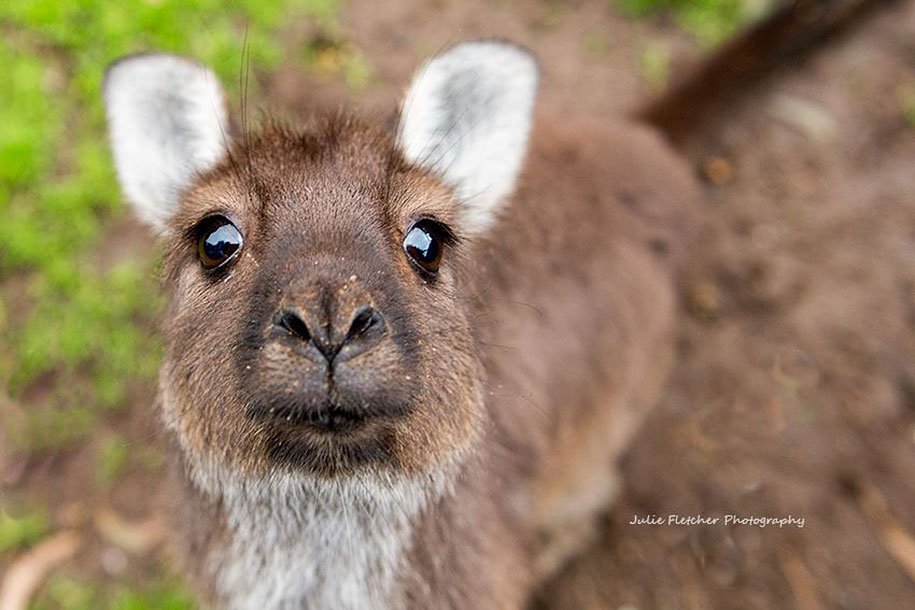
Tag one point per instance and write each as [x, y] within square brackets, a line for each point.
[401, 364]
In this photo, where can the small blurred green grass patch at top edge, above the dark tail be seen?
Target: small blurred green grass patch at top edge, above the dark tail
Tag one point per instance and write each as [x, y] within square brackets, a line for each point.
[710, 21]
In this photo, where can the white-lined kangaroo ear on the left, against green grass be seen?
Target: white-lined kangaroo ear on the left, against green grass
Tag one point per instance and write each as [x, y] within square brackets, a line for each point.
[168, 123]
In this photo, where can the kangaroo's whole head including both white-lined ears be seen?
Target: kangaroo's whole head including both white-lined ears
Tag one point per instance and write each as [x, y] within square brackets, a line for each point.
[319, 278]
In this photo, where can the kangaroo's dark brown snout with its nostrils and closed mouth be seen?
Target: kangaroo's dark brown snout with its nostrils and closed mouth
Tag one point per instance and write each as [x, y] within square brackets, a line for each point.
[317, 363]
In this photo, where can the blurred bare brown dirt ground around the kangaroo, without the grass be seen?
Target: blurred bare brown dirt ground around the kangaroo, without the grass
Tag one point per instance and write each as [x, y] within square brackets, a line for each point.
[794, 391]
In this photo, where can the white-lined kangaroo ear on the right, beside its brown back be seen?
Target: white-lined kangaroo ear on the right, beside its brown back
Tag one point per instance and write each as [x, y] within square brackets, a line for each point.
[466, 117]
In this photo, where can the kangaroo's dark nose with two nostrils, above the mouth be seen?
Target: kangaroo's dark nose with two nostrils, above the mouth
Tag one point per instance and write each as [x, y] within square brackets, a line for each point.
[363, 332]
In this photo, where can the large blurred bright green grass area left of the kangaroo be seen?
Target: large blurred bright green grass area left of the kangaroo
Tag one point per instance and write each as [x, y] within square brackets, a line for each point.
[76, 316]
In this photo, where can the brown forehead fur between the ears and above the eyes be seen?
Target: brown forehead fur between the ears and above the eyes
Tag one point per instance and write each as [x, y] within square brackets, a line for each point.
[325, 171]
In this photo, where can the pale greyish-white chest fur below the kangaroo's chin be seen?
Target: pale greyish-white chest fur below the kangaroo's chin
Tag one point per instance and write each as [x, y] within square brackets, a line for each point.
[294, 543]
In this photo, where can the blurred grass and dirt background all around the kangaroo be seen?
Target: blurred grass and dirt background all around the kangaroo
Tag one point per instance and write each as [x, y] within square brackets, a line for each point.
[795, 389]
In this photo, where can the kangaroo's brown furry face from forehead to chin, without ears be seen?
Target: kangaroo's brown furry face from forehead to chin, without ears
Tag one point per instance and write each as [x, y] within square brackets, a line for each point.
[317, 320]
